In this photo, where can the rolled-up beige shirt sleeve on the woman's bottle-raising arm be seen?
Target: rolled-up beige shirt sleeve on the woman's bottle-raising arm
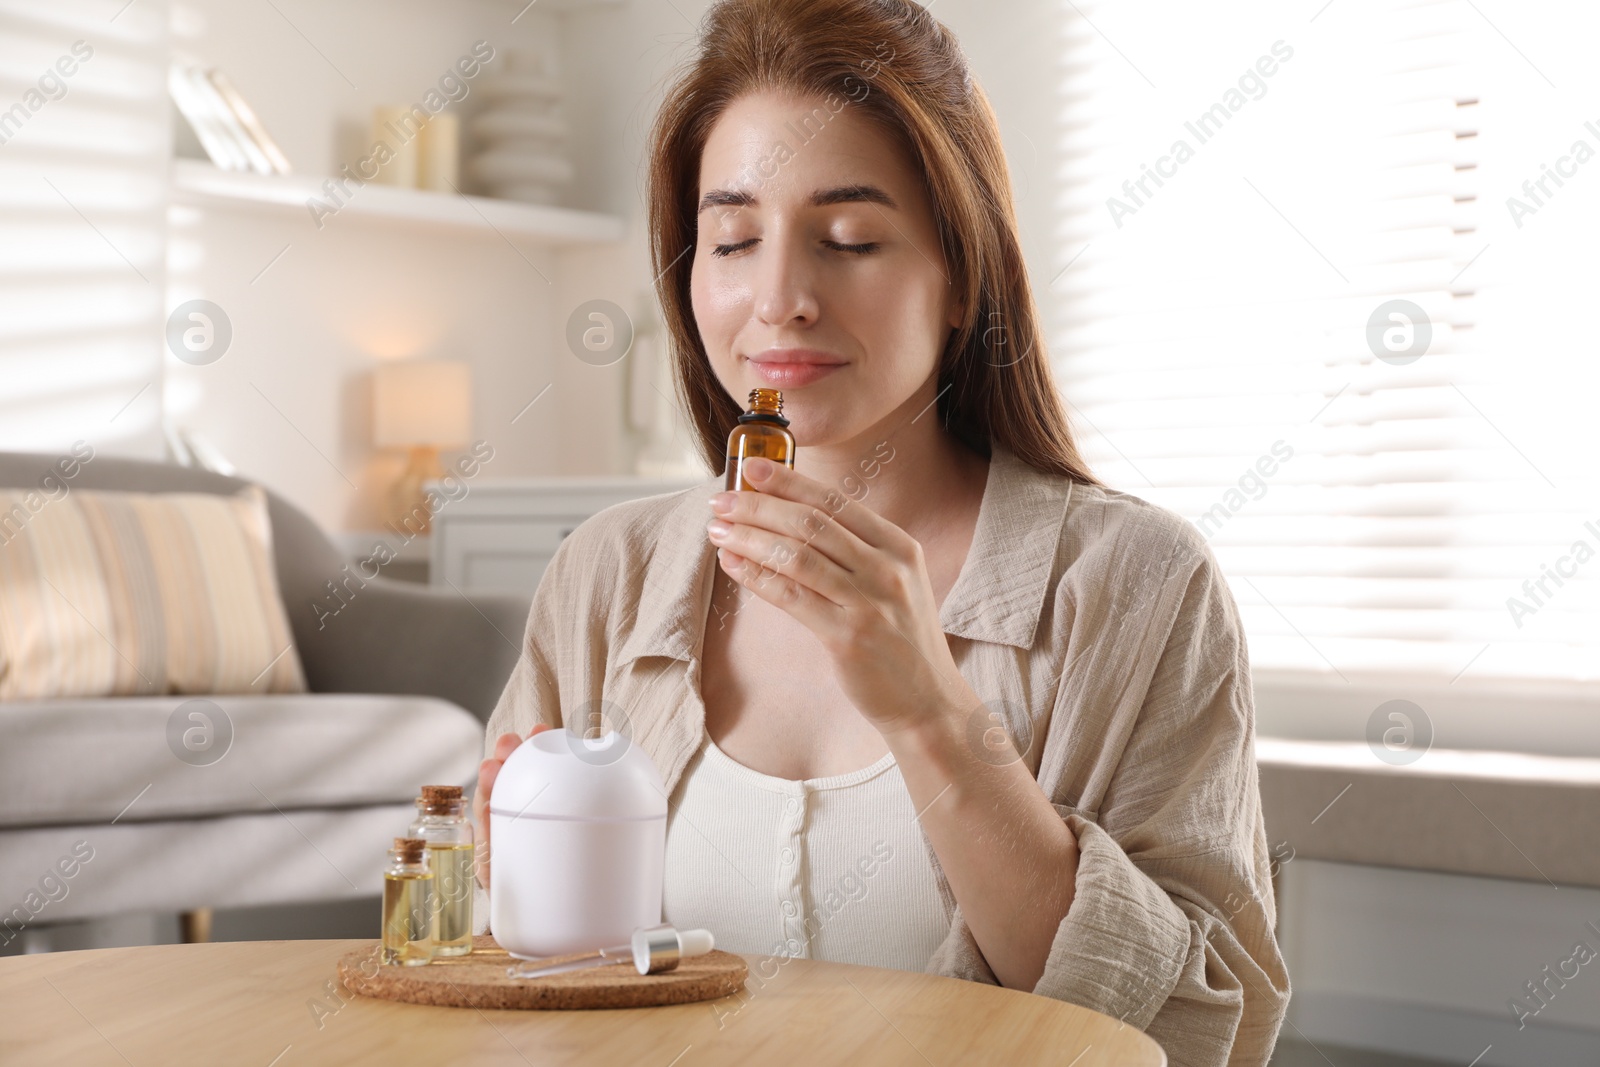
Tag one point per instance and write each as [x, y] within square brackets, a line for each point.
[1172, 921]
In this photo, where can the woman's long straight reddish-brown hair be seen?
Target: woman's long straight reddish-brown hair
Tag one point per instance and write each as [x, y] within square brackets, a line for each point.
[908, 73]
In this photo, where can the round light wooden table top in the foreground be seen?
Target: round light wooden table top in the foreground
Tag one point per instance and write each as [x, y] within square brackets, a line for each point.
[276, 1004]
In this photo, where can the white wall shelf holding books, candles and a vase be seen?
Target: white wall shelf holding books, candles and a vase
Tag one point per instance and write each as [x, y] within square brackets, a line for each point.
[202, 185]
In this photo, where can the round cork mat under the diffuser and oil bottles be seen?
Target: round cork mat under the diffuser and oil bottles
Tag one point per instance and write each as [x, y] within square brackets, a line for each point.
[479, 981]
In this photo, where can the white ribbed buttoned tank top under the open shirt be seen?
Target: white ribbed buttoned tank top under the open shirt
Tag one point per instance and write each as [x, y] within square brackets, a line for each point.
[823, 869]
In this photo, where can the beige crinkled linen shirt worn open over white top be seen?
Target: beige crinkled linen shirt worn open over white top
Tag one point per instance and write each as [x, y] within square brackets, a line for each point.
[1102, 629]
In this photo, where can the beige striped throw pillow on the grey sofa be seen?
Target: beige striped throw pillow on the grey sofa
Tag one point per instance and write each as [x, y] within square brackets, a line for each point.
[135, 594]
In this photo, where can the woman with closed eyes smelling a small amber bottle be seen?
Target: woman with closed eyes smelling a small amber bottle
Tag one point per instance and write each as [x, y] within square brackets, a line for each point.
[935, 698]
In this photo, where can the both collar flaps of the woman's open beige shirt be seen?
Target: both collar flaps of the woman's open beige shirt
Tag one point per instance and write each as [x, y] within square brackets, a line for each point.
[998, 597]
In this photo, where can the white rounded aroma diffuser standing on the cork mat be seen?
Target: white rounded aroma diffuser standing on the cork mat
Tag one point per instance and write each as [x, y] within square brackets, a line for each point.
[578, 831]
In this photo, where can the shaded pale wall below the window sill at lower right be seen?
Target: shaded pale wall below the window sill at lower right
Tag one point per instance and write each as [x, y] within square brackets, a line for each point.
[1426, 964]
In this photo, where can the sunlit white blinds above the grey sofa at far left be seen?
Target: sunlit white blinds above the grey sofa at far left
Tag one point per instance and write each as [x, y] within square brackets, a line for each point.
[84, 161]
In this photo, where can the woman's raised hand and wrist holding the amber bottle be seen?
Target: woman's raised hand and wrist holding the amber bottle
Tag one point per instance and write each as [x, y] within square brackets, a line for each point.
[857, 581]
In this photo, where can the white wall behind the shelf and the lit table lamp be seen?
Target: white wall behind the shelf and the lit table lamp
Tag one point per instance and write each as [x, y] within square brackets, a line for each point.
[289, 402]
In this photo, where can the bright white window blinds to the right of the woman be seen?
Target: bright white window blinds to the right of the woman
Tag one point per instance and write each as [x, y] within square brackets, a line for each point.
[1297, 308]
